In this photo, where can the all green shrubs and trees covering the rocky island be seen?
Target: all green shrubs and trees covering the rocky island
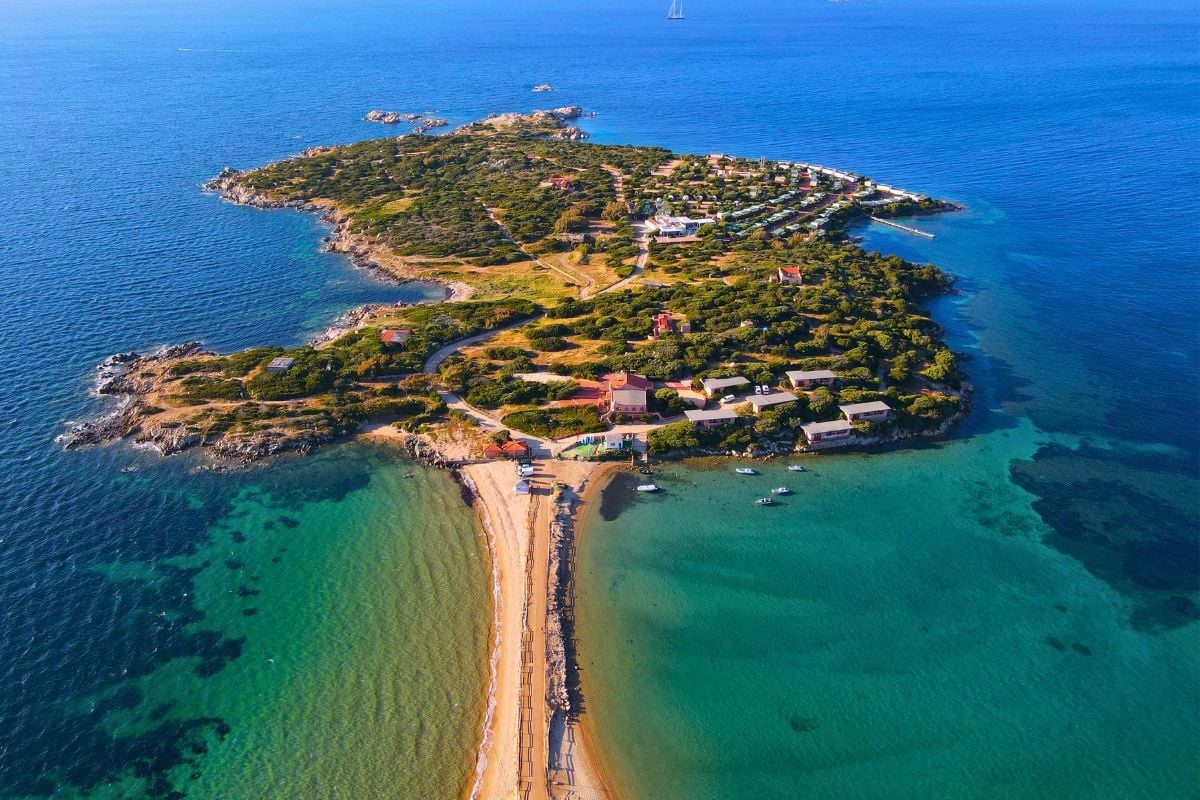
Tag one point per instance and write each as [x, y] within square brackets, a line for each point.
[479, 197]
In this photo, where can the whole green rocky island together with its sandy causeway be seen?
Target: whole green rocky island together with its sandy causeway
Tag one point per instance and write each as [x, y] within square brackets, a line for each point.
[605, 304]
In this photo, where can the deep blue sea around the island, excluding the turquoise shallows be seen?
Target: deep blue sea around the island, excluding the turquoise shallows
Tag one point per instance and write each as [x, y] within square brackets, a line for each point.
[1069, 130]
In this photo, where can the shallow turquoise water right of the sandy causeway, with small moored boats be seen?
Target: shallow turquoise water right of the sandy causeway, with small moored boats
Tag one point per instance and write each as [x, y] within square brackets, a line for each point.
[895, 629]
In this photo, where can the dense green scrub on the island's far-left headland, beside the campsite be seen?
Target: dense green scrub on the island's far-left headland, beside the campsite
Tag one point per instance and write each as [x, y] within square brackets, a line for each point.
[430, 196]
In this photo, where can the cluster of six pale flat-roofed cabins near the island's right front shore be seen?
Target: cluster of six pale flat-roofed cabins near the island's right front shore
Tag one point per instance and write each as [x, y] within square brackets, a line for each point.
[836, 432]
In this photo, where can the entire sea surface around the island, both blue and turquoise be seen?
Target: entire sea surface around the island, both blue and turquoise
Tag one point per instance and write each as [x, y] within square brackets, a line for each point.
[1011, 613]
